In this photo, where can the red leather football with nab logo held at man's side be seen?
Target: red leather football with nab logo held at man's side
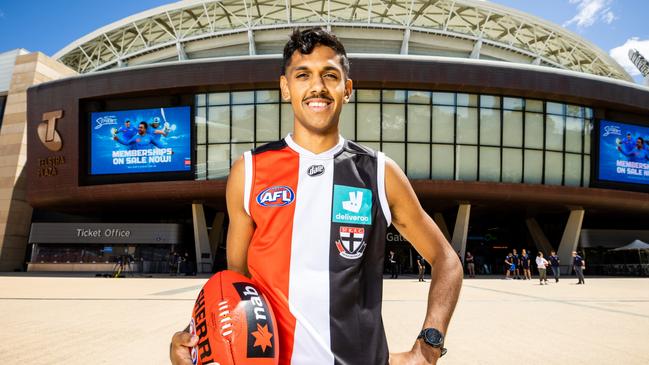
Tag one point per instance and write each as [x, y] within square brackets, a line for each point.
[234, 323]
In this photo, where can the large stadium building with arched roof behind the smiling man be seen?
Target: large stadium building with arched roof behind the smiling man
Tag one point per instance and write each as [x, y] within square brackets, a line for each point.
[515, 132]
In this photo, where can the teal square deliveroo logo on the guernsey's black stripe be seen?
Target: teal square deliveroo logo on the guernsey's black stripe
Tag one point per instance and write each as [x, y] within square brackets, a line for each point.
[352, 205]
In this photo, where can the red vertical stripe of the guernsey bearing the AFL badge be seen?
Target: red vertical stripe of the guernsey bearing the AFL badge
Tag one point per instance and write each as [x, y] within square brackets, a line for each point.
[269, 252]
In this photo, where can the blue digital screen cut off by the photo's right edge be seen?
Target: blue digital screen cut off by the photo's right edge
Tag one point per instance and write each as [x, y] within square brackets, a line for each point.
[623, 152]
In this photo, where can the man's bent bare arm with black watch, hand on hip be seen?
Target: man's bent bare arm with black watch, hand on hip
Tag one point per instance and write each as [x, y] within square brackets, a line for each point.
[446, 280]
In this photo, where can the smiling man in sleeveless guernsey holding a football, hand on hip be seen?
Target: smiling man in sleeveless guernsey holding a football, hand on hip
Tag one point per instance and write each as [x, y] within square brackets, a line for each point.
[318, 253]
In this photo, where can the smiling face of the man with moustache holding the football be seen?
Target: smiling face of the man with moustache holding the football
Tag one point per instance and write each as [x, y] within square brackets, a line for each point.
[316, 86]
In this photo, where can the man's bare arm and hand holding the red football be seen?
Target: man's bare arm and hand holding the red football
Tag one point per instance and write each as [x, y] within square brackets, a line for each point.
[240, 232]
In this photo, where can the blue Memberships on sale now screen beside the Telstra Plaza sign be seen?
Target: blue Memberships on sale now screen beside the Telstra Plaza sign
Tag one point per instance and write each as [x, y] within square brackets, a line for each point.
[140, 141]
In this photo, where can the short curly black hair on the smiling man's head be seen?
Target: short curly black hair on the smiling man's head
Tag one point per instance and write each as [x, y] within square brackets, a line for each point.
[305, 41]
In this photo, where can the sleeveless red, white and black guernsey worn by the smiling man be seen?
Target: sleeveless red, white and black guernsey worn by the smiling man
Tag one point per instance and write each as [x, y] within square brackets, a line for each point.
[318, 247]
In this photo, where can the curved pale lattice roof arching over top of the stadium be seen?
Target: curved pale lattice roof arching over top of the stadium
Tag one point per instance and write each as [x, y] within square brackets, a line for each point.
[196, 29]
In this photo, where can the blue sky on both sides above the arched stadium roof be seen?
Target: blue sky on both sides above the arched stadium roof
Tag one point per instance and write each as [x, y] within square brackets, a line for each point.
[48, 26]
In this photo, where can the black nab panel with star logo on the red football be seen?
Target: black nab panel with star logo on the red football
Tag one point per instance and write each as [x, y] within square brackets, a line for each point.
[261, 331]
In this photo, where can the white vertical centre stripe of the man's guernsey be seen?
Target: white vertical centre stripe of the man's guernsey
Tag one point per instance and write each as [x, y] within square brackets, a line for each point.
[309, 266]
